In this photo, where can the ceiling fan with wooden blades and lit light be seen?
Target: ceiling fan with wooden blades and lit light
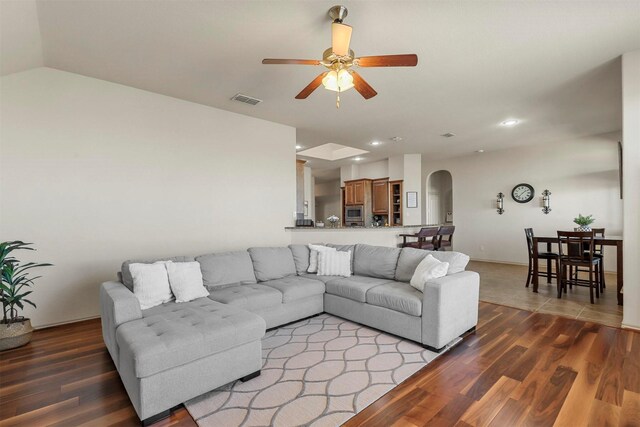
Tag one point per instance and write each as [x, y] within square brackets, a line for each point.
[339, 60]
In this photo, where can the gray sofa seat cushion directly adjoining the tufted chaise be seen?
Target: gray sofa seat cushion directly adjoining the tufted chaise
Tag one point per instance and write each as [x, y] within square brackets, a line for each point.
[249, 297]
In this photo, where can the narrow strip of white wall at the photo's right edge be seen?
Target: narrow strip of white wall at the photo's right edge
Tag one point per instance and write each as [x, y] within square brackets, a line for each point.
[631, 185]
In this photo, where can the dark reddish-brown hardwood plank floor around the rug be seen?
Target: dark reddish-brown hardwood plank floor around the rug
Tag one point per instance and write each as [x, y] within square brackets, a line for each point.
[520, 368]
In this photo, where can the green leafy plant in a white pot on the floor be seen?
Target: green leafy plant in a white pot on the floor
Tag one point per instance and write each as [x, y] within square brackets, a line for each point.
[15, 330]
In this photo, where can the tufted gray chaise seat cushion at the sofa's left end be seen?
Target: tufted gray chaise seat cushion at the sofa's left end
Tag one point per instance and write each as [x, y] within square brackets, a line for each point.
[175, 334]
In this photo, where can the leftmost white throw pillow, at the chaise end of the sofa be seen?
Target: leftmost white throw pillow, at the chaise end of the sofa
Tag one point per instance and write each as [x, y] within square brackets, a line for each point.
[150, 284]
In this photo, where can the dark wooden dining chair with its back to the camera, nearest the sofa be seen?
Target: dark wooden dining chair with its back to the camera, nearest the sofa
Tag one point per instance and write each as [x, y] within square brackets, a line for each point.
[579, 252]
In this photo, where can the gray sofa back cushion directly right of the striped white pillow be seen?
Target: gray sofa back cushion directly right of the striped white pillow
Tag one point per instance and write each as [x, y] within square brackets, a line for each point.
[375, 261]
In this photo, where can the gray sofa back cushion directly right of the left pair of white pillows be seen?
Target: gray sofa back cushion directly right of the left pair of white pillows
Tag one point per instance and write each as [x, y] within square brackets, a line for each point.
[225, 268]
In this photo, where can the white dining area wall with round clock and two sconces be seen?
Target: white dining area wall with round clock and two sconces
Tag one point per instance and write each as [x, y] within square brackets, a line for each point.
[581, 174]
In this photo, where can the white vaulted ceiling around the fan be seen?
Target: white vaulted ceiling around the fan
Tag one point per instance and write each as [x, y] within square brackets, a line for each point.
[552, 65]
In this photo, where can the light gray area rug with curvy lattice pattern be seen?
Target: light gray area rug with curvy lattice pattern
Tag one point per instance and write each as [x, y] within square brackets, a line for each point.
[317, 372]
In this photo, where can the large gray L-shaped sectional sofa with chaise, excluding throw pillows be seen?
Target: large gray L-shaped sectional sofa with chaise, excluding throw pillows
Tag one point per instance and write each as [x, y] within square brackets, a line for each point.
[176, 351]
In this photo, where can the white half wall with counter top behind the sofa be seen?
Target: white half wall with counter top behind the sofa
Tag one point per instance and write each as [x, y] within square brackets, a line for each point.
[380, 236]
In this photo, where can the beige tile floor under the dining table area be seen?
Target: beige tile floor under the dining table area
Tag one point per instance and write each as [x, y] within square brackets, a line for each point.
[504, 284]
